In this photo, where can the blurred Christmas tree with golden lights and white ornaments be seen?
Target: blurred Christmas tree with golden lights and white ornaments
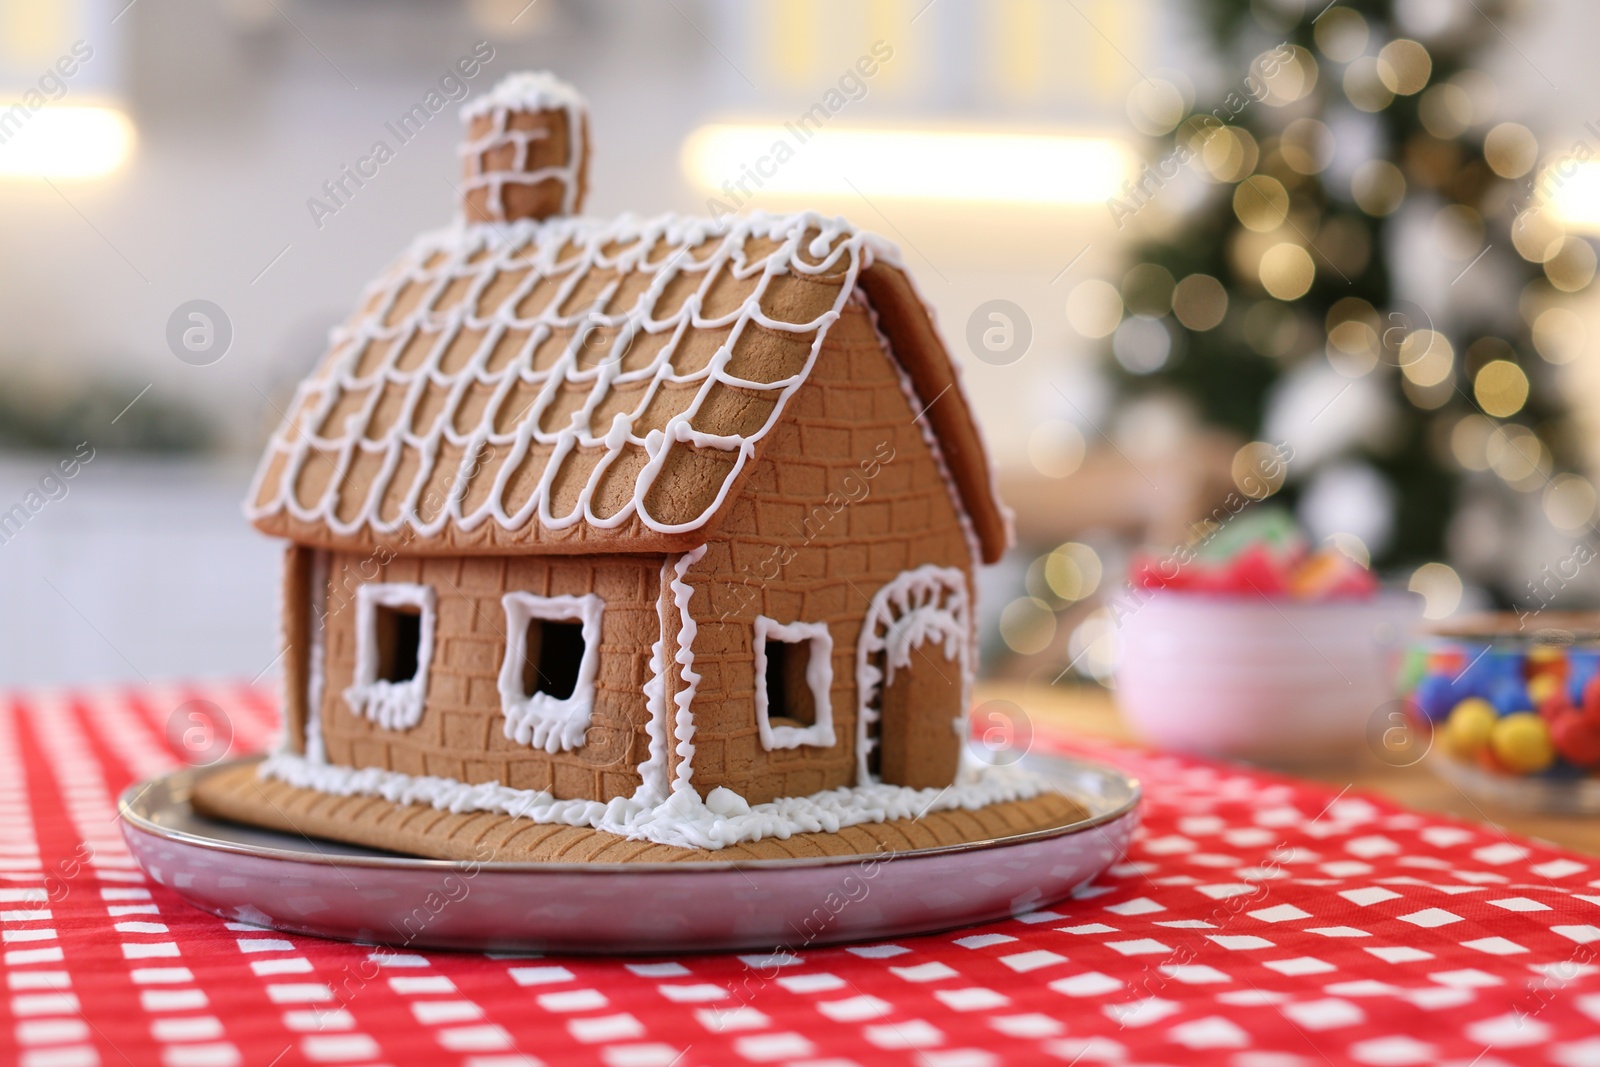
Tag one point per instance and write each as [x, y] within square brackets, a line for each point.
[1372, 274]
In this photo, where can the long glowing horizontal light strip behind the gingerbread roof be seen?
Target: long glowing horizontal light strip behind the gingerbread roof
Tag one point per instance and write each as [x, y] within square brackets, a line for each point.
[1033, 169]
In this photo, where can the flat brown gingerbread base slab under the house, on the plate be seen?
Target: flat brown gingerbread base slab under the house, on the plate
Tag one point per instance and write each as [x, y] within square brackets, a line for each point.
[241, 796]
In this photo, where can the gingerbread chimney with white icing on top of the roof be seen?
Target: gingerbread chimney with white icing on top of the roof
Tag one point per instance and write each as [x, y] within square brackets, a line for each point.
[527, 151]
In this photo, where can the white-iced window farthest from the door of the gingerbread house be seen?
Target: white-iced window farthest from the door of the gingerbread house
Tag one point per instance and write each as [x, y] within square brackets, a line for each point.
[394, 649]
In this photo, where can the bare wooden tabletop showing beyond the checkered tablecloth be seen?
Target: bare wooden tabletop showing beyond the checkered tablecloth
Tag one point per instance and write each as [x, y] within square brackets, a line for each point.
[1092, 713]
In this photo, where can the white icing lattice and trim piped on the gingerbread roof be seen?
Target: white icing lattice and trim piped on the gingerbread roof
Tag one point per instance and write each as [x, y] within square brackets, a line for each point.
[639, 234]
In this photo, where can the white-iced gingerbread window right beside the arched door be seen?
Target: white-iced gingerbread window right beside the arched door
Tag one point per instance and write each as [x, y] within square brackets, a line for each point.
[794, 674]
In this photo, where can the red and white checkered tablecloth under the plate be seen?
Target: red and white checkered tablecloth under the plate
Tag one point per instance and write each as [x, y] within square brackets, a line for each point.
[1257, 922]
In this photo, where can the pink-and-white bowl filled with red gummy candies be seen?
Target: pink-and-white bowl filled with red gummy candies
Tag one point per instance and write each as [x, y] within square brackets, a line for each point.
[1260, 647]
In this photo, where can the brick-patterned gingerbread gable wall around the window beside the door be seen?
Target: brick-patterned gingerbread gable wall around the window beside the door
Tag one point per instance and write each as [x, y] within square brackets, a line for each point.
[834, 551]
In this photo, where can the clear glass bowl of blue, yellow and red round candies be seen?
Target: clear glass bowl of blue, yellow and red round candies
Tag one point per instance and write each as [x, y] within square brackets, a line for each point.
[1514, 709]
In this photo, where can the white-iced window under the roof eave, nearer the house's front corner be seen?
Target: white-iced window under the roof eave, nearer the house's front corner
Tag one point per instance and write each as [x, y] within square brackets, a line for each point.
[548, 677]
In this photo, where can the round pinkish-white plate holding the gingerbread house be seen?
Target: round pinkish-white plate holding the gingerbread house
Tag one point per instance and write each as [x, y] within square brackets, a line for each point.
[311, 887]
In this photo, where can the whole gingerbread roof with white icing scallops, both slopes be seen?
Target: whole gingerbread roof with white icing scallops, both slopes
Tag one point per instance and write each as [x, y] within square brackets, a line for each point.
[582, 386]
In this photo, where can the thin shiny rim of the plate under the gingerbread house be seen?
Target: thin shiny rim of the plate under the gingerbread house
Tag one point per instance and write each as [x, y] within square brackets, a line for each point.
[135, 821]
